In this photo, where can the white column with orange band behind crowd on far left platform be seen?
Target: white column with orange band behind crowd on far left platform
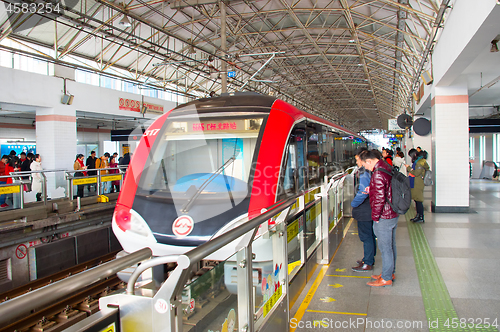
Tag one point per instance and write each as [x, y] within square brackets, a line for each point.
[56, 144]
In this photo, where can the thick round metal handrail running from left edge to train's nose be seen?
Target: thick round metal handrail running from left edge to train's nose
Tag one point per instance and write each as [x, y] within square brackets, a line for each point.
[24, 304]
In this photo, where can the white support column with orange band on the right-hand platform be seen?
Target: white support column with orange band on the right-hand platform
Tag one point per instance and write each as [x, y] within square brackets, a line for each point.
[450, 145]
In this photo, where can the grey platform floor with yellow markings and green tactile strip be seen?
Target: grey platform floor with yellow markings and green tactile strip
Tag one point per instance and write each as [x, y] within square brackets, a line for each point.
[466, 251]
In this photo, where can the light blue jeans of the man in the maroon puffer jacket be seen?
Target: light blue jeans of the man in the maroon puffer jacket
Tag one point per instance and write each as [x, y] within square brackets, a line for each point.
[385, 230]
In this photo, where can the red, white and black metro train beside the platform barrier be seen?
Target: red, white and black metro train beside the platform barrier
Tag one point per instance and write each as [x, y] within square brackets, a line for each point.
[211, 164]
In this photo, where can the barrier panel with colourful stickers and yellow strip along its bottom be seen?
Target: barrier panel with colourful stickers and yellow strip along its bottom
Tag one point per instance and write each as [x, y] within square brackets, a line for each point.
[270, 268]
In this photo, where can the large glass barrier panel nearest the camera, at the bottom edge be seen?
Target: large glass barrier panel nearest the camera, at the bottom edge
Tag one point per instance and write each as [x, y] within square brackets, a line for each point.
[210, 302]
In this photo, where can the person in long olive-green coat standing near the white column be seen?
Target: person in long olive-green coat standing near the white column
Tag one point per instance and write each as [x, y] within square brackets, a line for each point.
[416, 173]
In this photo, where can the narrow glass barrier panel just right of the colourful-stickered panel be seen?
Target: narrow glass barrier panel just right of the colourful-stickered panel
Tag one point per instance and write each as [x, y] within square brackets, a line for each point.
[294, 230]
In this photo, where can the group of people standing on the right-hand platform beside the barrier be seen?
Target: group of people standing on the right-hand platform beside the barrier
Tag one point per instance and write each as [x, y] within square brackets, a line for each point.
[377, 220]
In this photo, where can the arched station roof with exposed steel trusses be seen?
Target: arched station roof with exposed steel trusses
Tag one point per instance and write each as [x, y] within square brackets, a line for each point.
[355, 62]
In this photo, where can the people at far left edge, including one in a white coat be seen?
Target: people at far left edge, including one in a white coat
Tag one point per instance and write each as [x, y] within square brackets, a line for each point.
[22, 163]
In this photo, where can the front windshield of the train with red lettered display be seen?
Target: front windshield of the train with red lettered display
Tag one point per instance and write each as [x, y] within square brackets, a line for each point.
[203, 158]
